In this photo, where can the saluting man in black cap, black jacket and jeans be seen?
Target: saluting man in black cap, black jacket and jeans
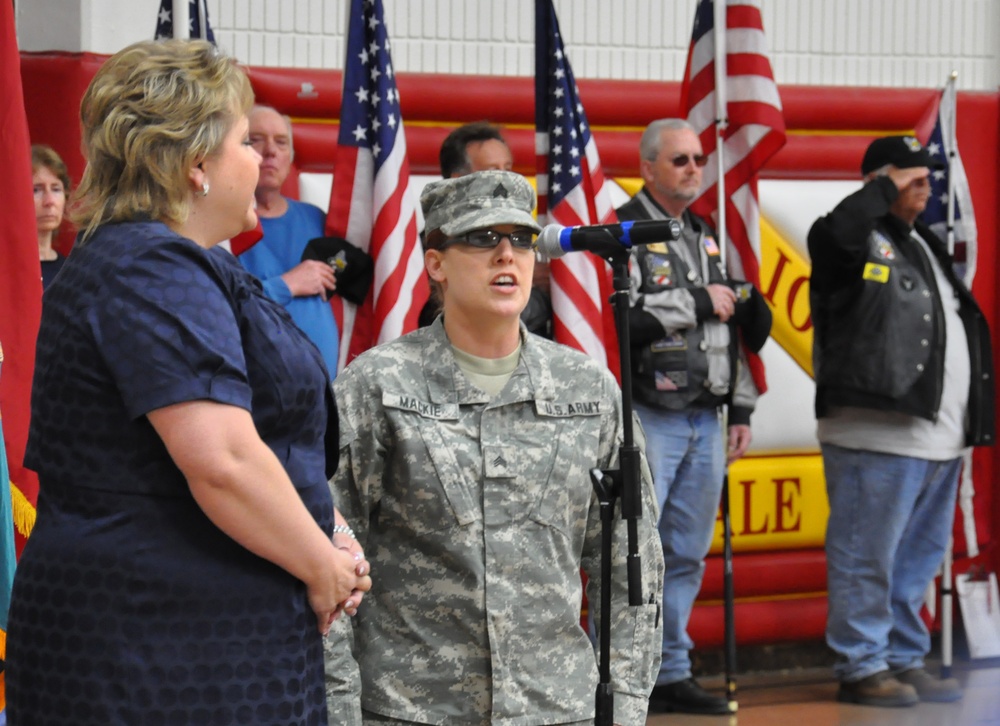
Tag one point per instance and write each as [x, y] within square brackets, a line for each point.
[904, 382]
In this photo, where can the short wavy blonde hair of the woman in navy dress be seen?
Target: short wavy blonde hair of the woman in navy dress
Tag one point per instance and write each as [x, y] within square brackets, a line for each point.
[152, 111]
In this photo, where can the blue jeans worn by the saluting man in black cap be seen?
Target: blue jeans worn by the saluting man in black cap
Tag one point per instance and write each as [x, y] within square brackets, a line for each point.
[890, 518]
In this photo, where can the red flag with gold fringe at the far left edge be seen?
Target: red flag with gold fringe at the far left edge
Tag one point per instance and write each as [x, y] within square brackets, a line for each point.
[20, 276]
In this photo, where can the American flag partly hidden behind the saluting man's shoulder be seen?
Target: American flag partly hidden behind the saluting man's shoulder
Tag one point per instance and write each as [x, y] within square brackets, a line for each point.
[943, 145]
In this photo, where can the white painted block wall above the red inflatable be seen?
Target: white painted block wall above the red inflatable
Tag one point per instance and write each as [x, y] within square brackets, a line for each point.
[896, 43]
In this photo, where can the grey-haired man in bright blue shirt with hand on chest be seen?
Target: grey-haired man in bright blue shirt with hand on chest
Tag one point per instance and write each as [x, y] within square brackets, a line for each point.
[303, 287]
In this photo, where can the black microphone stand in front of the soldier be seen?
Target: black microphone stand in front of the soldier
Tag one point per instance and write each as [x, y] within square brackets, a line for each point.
[624, 482]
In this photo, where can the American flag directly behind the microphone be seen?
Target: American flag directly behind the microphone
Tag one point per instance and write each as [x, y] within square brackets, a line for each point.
[571, 192]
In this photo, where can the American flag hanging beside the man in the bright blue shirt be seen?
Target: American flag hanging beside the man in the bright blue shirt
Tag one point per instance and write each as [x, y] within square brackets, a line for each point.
[371, 203]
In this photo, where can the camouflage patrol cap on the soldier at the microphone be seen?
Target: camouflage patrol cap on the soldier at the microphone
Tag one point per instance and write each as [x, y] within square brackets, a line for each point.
[477, 201]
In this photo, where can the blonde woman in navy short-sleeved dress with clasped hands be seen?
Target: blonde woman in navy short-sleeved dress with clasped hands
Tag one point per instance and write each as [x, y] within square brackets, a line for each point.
[185, 561]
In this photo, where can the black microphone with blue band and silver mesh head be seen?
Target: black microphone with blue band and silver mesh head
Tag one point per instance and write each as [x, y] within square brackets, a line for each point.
[606, 239]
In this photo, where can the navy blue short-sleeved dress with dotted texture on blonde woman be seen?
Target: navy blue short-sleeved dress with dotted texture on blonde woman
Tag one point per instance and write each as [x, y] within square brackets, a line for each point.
[129, 606]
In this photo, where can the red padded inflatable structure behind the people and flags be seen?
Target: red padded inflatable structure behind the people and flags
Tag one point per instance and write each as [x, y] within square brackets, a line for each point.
[781, 594]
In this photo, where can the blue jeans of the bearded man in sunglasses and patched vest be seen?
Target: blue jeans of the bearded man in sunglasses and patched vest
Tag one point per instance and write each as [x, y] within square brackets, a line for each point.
[685, 453]
